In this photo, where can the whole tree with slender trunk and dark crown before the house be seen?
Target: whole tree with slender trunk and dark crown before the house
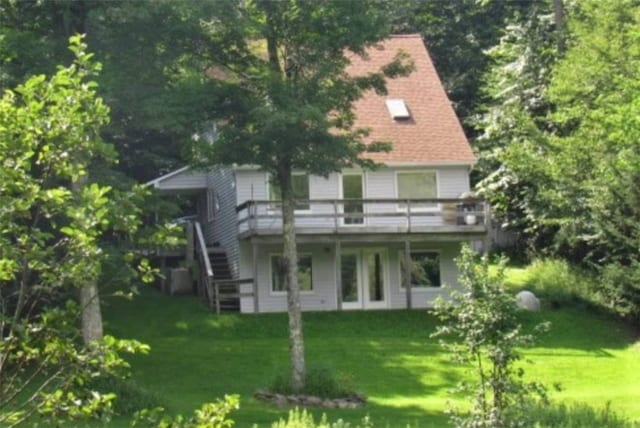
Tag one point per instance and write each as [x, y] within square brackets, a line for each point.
[289, 104]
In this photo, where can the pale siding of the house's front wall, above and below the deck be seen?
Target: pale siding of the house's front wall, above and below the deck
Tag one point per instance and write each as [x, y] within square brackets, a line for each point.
[379, 184]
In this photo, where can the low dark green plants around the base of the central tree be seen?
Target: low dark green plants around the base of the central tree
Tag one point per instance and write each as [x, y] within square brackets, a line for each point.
[319, 381]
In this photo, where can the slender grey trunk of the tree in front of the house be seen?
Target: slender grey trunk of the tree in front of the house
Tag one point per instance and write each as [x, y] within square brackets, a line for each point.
[290, 268]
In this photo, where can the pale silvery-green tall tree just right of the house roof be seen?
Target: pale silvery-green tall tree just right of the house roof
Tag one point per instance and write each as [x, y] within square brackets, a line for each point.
[514, 125]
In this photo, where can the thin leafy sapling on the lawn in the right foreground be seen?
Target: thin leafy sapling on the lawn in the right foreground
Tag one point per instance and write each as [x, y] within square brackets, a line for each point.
[482, 323]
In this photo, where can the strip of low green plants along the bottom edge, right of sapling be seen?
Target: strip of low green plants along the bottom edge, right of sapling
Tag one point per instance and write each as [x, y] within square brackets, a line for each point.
[575, 416]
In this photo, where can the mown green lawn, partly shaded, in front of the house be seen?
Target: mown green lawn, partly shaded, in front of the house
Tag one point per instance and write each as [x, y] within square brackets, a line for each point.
[197, 356]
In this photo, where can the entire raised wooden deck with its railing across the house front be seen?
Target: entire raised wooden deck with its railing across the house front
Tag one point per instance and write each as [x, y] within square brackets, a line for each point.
[366, 220]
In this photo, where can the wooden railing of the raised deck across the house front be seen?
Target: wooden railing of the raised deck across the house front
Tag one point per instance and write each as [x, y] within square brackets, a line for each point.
[388, 214]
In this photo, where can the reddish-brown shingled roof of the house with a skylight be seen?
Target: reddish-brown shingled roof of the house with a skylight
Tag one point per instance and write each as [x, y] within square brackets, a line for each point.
[432, 134]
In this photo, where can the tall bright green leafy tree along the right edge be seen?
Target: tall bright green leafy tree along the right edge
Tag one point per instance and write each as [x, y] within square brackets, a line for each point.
[596, 153]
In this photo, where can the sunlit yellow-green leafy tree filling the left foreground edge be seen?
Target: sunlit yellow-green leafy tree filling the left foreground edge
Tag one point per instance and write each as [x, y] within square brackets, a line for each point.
[49, 245]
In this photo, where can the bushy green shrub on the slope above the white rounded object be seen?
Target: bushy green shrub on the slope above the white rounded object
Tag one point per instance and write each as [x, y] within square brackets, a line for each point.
[559, 284]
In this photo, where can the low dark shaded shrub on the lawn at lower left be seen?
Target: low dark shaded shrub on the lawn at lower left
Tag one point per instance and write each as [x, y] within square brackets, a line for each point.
[130, 397]
